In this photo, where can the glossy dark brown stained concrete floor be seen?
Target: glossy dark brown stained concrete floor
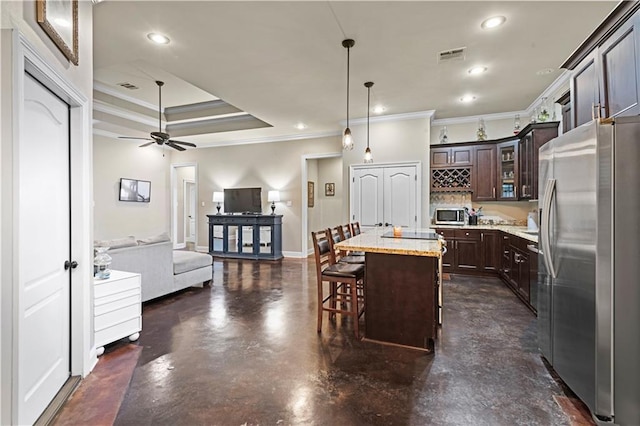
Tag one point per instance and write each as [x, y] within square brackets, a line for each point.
[245, 352]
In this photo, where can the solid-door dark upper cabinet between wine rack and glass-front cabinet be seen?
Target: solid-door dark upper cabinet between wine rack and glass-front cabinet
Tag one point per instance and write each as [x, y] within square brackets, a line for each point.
[484, 173]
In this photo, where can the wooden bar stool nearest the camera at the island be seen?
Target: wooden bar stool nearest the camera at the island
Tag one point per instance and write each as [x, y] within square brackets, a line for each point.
[343, 281]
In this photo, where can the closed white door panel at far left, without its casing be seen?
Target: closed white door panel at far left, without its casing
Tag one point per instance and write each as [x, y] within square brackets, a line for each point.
[43, 339]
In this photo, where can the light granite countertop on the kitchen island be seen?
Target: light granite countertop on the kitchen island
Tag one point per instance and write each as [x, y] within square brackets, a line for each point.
[373, 242]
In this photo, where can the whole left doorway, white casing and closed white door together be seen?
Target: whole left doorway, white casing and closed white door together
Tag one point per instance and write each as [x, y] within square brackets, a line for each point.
[47, 257]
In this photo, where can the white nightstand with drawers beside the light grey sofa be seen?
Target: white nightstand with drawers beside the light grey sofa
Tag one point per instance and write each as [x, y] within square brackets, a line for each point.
[117, 308]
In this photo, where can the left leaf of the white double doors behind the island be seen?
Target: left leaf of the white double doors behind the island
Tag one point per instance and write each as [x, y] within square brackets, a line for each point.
[367, 192]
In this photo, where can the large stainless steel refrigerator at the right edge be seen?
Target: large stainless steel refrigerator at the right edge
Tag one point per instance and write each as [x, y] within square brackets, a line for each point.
[589, 269]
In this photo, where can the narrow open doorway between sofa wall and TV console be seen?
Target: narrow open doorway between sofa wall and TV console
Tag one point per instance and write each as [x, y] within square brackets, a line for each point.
[184, 205]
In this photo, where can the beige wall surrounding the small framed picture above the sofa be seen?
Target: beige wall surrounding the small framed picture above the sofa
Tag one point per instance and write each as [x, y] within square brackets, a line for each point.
[114, 159]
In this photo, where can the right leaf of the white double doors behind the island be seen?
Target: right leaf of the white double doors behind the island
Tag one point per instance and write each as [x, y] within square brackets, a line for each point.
[400, 200]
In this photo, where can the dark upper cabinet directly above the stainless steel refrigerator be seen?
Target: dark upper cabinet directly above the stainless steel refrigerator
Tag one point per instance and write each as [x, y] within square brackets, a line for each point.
[606, 68]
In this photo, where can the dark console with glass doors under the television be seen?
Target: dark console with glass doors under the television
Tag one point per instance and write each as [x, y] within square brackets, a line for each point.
[245, 236]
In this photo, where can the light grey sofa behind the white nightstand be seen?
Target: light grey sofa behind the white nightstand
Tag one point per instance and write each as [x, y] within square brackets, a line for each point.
[162, 269]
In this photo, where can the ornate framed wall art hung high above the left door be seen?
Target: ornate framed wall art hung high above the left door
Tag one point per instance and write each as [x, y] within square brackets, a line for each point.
[59, 19]
